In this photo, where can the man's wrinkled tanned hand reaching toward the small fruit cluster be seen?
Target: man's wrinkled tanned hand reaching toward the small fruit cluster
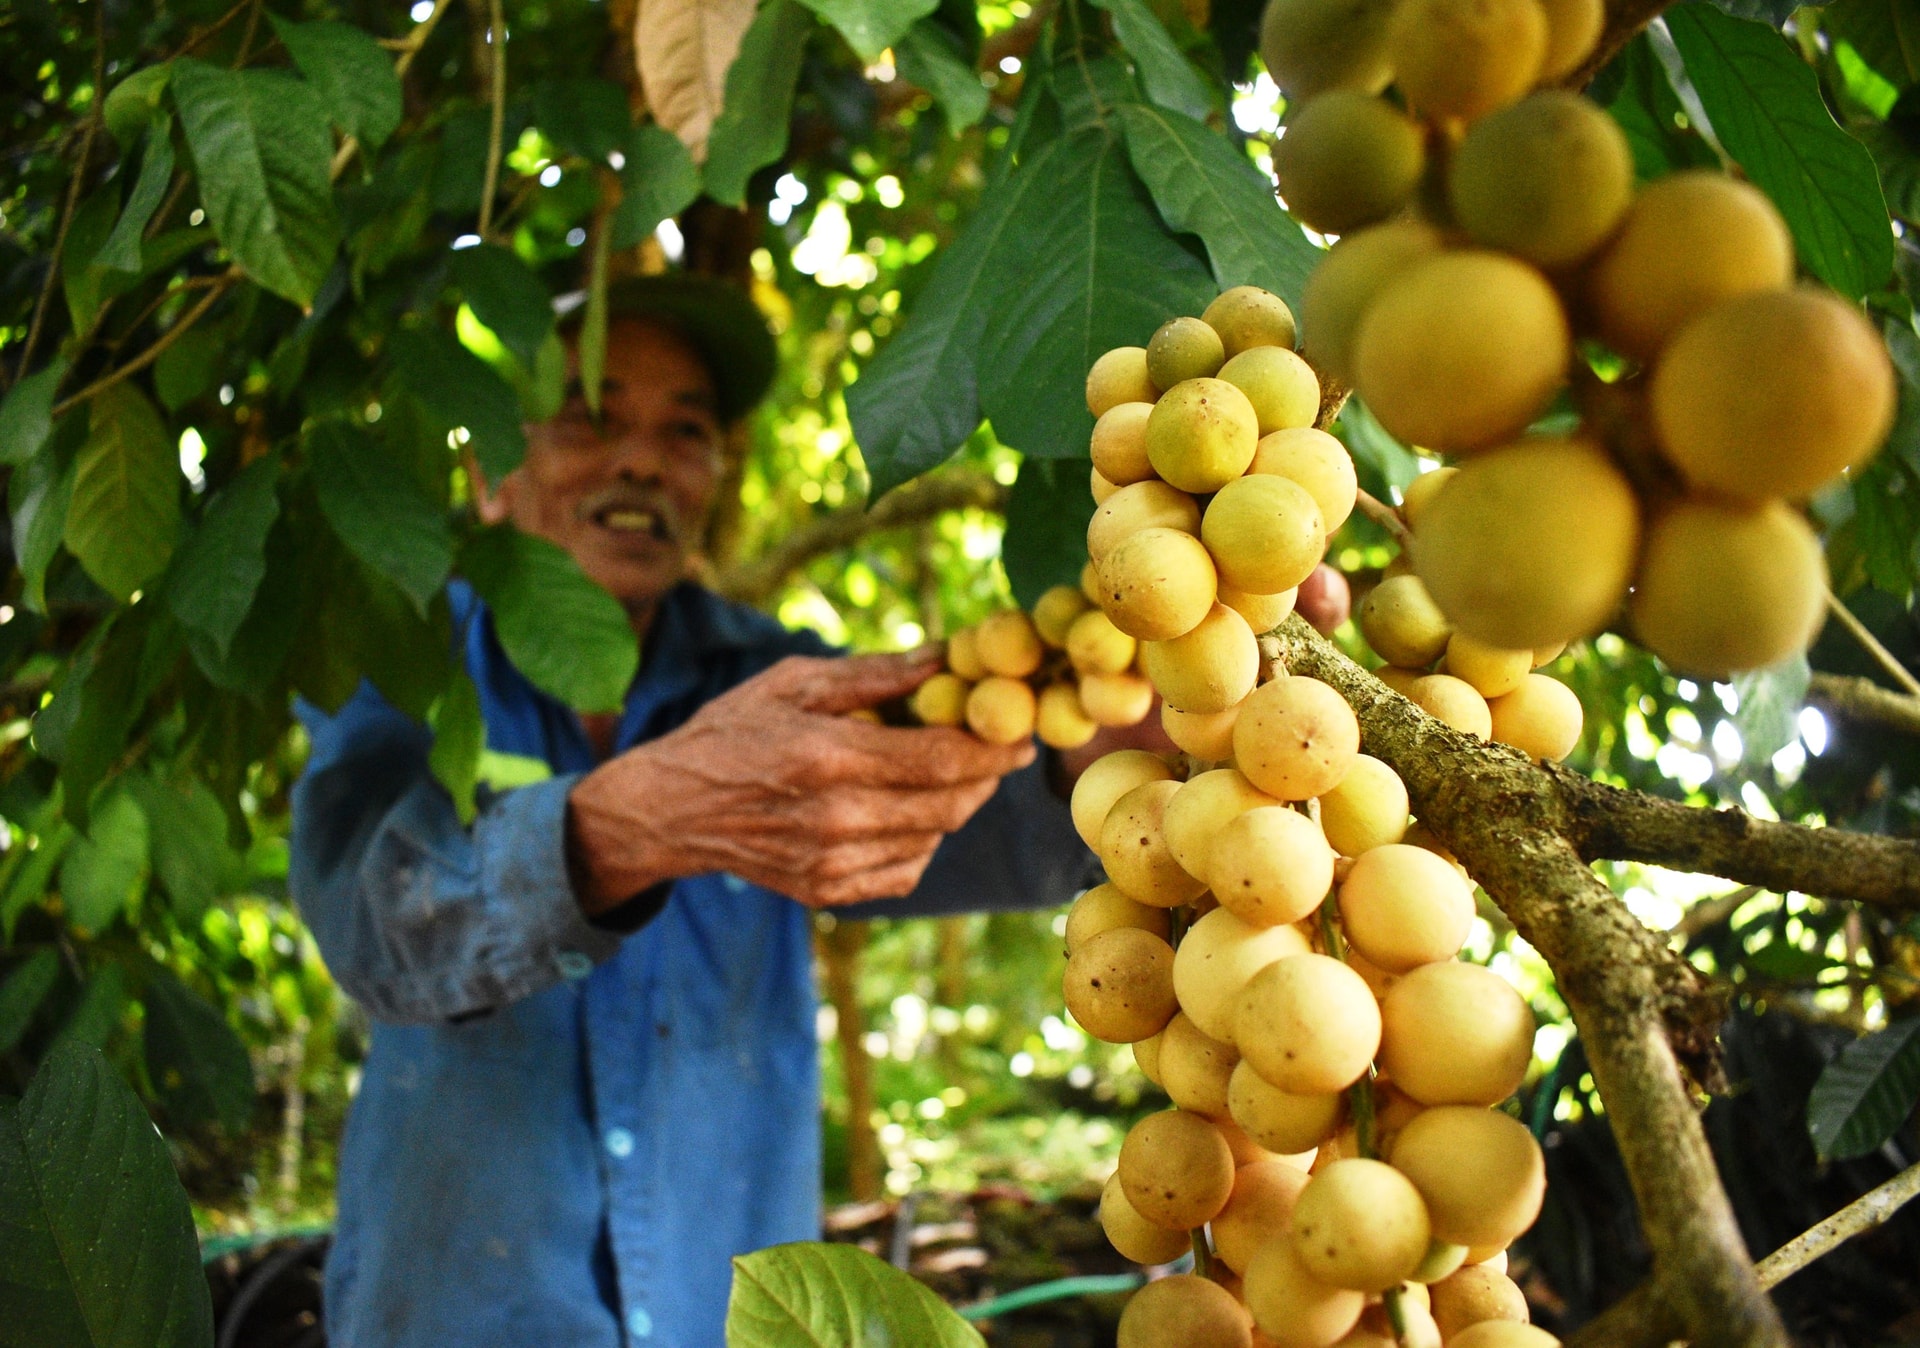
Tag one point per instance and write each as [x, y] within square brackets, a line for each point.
[779, 786]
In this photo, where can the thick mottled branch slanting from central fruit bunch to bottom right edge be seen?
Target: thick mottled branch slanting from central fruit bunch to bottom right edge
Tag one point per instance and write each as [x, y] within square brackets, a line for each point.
[1639, 1007]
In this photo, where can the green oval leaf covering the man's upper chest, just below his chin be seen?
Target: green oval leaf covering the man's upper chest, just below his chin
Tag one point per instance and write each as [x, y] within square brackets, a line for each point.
[567, 635]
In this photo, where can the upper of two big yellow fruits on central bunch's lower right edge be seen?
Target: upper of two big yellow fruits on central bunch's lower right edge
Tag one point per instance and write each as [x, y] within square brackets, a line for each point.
[1456, 1034]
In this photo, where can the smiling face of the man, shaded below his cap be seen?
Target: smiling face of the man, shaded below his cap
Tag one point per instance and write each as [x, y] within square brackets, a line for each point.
[629, 500]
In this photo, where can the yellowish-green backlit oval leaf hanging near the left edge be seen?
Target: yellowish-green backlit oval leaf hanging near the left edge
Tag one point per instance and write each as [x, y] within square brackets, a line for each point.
[126, 512]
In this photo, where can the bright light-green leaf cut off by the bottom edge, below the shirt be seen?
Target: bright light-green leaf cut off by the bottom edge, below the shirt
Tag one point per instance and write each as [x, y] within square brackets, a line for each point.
[811, 1293]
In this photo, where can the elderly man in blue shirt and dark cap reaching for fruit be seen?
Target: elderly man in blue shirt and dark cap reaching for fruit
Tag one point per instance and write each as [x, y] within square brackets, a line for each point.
[594, 1069]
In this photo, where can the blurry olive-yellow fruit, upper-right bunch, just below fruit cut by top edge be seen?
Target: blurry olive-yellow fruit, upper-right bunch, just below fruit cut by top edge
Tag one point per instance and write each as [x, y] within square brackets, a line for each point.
[1548, 178]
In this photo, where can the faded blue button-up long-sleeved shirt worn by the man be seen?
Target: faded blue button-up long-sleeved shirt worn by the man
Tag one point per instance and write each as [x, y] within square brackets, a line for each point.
[564, 1134]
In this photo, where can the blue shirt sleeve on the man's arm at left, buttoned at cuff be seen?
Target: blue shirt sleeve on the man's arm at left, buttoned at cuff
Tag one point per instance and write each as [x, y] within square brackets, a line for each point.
[421, 917]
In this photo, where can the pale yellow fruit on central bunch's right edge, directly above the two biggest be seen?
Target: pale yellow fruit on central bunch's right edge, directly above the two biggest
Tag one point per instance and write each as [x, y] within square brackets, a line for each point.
[1403, 907]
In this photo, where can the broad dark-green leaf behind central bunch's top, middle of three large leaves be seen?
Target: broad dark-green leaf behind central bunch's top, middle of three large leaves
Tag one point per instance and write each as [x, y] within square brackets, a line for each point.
[1092, 266]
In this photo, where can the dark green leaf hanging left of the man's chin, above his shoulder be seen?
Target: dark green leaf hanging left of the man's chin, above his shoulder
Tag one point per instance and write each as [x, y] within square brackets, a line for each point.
[379, 510]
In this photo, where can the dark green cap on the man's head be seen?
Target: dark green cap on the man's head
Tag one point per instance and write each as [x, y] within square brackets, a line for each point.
[717, 318]
